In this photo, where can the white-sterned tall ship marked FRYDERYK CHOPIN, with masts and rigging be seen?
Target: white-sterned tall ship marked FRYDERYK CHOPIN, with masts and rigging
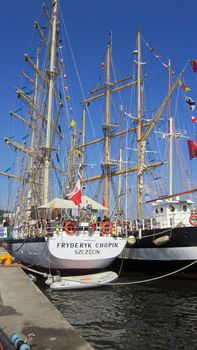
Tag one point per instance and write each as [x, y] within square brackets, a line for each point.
[54, 224]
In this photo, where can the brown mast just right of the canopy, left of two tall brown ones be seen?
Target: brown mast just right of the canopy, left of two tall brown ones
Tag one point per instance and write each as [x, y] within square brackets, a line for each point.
[106, 130]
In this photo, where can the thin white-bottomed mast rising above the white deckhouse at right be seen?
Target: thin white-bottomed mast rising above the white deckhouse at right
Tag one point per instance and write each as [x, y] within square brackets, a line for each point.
[170, 131]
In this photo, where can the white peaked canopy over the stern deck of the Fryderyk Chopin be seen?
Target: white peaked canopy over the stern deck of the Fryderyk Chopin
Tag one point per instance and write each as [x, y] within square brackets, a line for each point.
[66, 204]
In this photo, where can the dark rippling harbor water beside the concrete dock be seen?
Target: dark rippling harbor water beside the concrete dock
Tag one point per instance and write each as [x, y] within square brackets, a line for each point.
[154, 315]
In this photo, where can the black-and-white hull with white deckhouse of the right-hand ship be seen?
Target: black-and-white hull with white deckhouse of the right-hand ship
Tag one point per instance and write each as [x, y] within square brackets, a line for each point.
[172, 246]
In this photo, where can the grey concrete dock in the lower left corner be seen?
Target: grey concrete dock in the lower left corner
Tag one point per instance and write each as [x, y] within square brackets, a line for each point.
[25, 310]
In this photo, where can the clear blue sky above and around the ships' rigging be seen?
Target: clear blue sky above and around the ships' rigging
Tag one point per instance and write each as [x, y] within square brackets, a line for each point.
[169, 26]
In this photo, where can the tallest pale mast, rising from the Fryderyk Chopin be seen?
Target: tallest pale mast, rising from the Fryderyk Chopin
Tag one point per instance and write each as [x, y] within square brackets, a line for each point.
[51, 75]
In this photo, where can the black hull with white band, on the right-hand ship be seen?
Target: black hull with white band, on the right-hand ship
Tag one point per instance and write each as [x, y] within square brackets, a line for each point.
[175, 254]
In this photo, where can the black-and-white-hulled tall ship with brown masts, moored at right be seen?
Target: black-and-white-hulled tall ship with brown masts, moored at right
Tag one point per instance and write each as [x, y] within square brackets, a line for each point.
[149, 162]
